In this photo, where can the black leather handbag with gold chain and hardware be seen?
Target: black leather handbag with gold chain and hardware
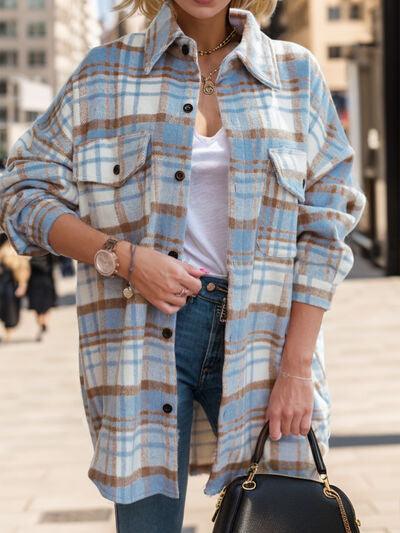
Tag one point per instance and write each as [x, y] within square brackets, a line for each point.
[266, 503]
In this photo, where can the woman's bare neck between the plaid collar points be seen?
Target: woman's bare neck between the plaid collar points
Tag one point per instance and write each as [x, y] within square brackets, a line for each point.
[207, 33]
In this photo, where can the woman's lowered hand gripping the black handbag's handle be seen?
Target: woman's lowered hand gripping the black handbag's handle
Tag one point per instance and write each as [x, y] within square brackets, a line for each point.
[290, 406]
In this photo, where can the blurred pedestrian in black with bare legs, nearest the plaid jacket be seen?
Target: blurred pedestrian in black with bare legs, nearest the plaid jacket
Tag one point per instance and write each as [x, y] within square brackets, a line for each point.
[41, 290]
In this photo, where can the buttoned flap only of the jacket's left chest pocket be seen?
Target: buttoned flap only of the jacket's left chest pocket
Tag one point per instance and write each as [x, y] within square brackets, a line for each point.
[111, 160]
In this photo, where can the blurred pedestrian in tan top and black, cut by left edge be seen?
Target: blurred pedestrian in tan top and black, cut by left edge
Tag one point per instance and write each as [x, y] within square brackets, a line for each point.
[14, 275]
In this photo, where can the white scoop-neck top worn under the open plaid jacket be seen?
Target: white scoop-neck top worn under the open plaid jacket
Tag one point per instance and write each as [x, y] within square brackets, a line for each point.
[205, 243]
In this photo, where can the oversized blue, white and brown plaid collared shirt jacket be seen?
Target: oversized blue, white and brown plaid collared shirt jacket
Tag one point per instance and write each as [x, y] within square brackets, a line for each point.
[107, 150]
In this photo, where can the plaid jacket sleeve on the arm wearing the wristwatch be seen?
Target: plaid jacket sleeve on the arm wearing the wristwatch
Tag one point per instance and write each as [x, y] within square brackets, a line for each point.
[36, 186]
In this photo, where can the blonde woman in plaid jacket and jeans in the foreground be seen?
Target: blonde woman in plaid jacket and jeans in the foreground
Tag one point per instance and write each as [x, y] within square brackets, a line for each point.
[180, 368]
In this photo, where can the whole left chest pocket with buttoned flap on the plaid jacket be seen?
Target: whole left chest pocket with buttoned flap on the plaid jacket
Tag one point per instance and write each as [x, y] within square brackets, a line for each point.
[113, 176]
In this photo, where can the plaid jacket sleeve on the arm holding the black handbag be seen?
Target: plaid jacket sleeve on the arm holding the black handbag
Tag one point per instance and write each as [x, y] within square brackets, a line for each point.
[333, 202]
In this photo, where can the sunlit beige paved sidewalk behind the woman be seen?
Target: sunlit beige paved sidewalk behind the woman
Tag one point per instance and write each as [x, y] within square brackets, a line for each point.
[45, 448]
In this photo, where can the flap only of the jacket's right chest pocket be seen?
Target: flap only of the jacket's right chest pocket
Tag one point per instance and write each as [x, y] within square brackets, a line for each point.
[291, 169]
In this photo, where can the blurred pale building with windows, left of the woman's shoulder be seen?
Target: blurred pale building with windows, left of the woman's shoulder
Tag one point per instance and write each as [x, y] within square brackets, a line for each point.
[42, 41]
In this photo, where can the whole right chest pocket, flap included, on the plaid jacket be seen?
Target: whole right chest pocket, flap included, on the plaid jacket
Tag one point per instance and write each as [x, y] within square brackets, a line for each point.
[284, 191]
